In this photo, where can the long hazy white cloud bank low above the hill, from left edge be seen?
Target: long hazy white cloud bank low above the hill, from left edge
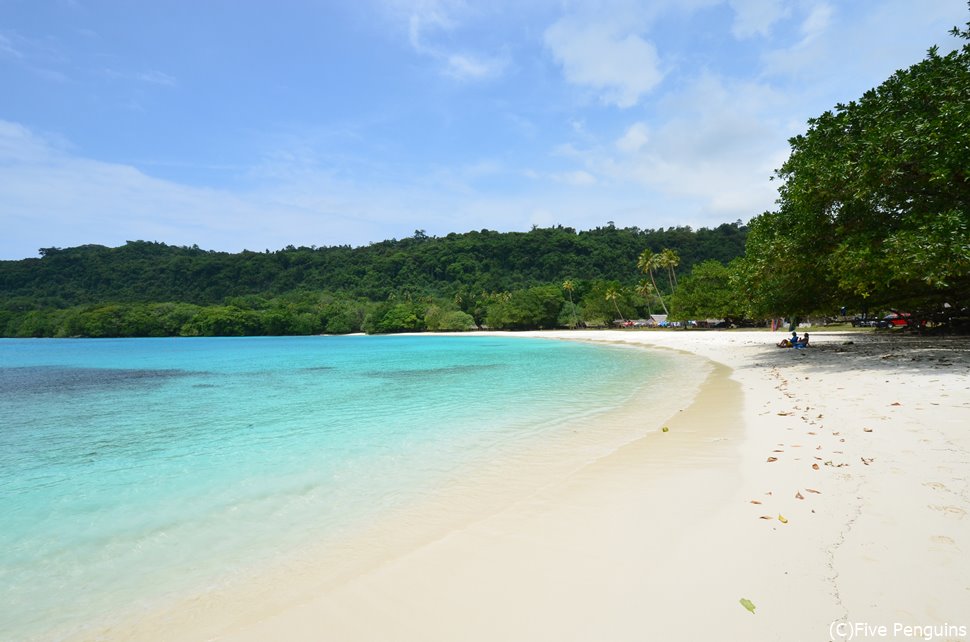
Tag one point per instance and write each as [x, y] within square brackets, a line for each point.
[52, 197]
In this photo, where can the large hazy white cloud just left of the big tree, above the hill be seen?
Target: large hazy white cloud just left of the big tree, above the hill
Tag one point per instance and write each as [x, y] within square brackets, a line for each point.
[711, 152]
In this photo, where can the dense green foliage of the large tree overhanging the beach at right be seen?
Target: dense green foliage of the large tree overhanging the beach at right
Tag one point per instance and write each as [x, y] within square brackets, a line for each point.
[874, 207]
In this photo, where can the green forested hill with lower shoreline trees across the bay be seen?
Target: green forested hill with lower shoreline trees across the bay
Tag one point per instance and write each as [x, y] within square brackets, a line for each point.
[548, 277]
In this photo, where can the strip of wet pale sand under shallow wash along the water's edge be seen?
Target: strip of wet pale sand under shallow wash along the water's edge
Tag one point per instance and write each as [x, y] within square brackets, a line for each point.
[477, 490]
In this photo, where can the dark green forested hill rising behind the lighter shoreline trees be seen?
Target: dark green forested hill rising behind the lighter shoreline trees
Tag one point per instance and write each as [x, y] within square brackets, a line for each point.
[420, 265]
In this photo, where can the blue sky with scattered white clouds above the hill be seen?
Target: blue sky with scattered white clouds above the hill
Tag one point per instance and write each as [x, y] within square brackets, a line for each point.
[245, 124]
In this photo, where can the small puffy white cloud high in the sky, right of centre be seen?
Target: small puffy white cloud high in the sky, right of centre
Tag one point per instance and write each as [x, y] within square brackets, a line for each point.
[620, 66]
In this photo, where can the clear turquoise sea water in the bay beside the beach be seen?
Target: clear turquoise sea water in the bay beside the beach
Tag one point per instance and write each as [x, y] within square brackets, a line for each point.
[133, 469]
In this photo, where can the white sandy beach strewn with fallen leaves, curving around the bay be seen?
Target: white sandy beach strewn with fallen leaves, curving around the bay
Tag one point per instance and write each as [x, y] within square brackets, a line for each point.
[830, 487]
